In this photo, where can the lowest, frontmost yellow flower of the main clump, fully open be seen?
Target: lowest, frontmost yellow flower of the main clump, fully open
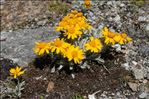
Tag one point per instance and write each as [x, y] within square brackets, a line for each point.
[75, 54]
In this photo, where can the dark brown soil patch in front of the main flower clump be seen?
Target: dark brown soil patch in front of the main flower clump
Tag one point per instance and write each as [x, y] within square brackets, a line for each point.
[85, 82]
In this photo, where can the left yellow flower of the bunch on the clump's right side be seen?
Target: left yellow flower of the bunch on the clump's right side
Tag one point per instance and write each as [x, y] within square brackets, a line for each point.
[109, 36]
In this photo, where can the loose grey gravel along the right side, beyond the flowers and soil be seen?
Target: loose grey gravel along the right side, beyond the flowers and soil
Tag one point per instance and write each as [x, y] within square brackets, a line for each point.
[123, 16]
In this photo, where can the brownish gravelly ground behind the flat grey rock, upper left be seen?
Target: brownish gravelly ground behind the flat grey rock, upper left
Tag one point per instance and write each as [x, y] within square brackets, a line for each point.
[30, 14]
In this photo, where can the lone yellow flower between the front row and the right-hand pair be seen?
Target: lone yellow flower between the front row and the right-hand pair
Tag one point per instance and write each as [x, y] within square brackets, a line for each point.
[94, 45]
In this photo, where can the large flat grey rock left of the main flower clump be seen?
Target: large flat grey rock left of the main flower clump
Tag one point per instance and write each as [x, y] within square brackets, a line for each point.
[19, 44]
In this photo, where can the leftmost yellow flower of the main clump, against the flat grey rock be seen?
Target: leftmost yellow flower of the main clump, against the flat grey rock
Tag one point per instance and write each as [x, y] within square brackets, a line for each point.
[42, 47]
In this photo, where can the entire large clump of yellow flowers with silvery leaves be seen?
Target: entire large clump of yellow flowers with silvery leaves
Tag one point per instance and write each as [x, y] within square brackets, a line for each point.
[76, 44]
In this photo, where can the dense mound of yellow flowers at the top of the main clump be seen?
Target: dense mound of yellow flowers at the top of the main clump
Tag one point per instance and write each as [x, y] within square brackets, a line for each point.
[72, 24]
